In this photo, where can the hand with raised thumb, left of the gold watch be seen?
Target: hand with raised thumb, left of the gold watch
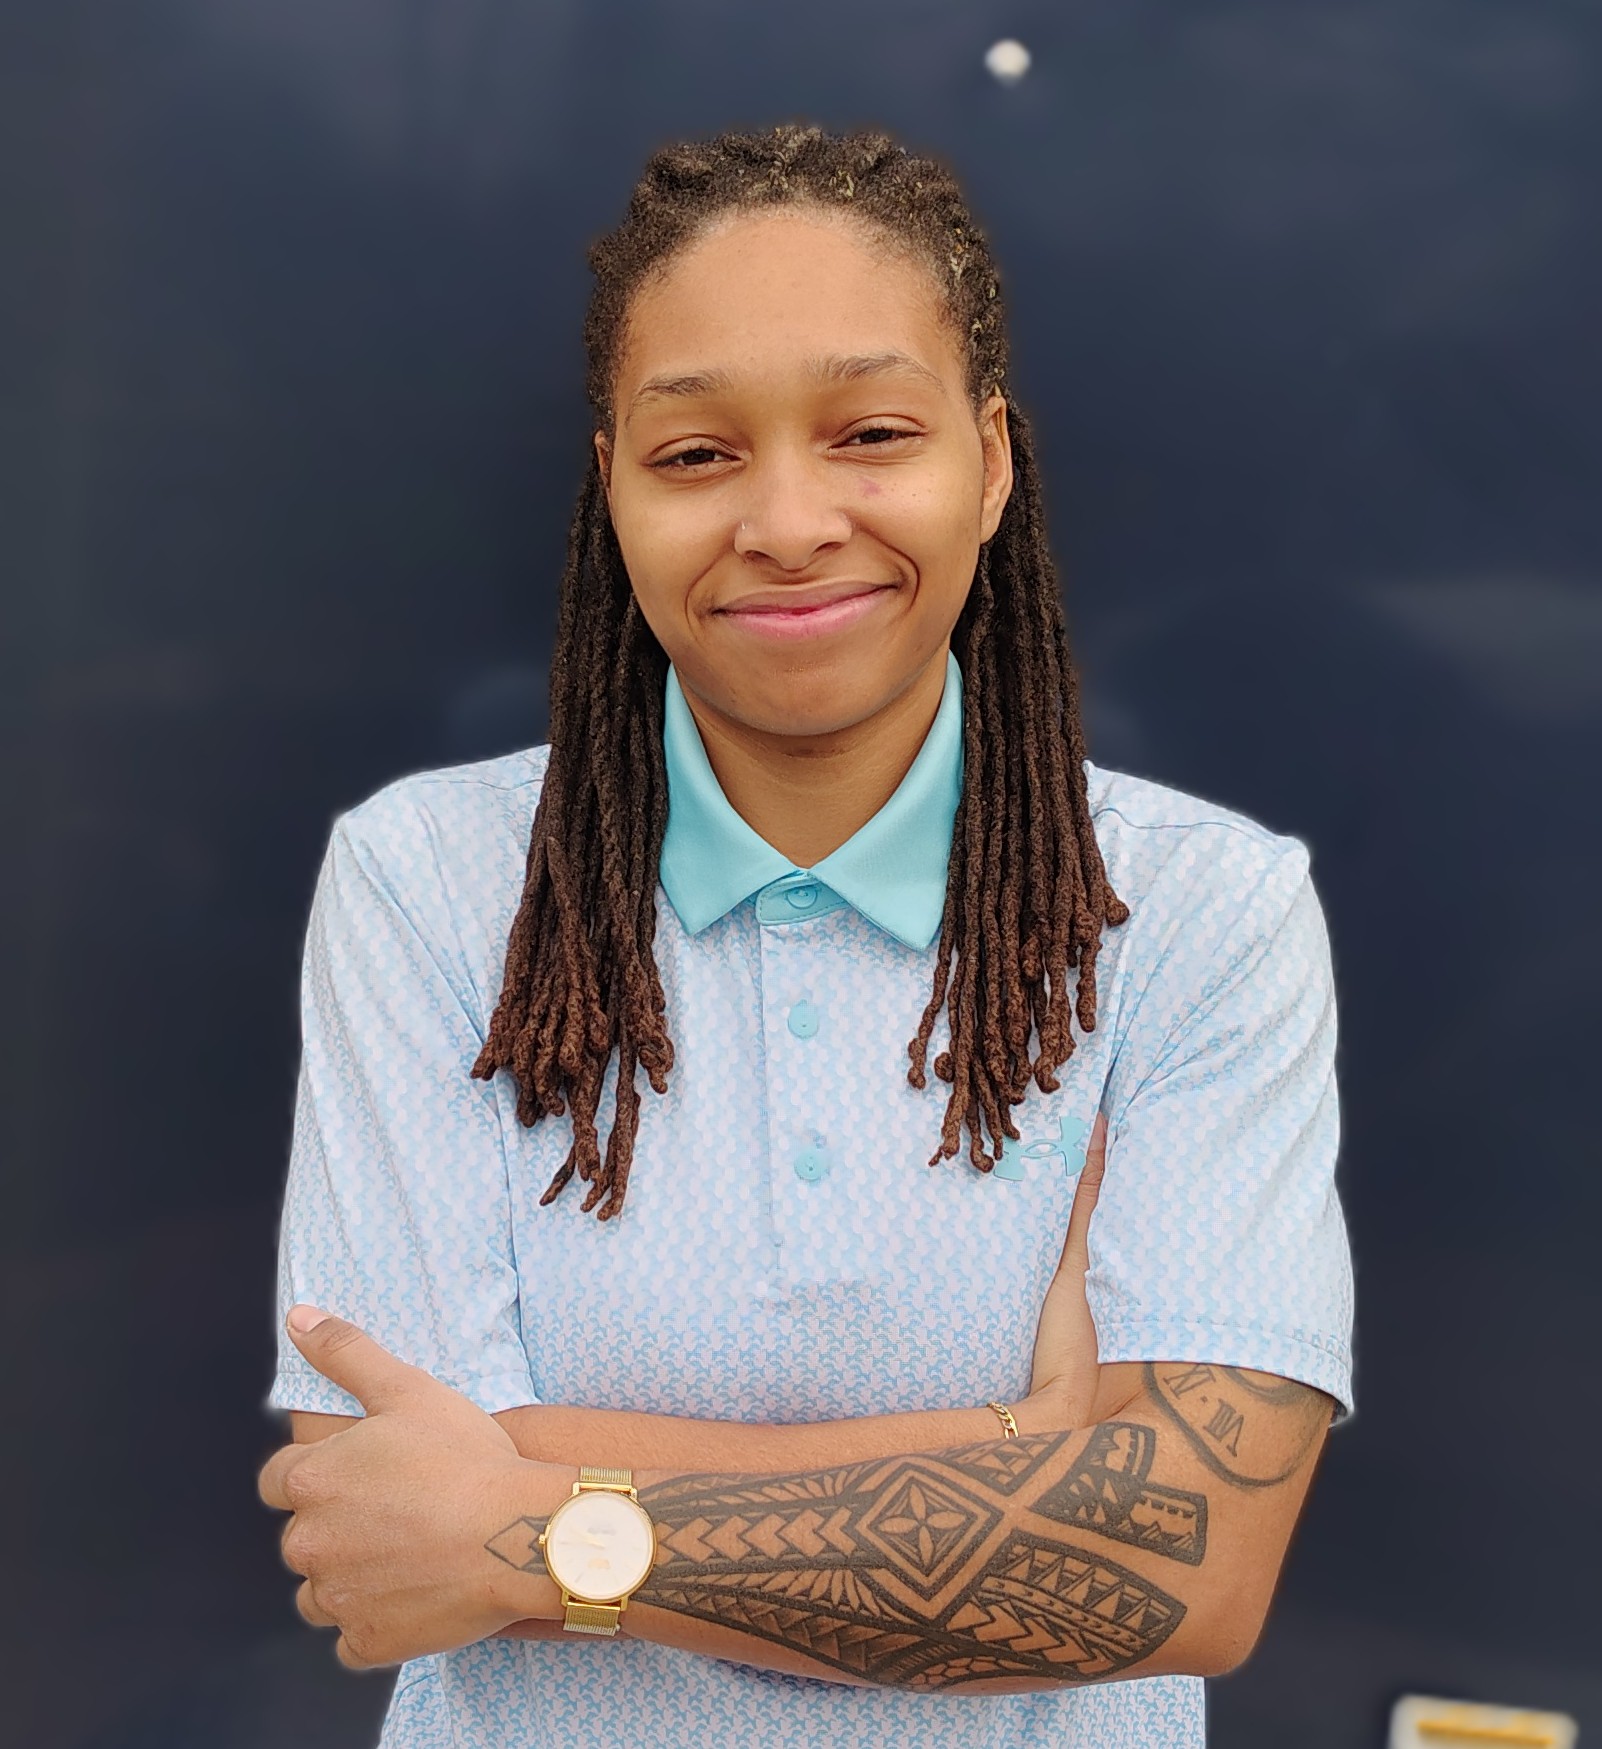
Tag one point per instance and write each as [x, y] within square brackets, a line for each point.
[393, 1514]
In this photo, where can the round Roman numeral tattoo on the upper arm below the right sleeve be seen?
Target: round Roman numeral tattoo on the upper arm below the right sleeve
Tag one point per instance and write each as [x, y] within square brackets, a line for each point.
[1251, 1430]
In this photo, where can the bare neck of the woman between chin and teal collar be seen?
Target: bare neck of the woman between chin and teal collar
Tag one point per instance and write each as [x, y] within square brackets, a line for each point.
[809, 795]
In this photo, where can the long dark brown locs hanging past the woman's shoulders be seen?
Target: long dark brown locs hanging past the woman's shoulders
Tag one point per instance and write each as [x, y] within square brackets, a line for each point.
[1027, 891]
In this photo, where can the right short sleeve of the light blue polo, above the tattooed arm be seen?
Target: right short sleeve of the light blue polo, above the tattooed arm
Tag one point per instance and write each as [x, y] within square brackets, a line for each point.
[1220, 1234]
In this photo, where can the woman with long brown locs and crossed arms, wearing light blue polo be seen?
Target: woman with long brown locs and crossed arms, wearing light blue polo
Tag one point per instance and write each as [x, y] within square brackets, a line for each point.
[839, 1453]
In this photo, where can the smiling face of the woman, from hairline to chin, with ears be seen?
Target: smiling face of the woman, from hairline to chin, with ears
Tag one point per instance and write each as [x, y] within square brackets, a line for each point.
[798, 480]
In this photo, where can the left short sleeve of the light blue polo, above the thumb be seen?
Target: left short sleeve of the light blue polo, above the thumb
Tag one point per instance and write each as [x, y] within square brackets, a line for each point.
[396, 1209]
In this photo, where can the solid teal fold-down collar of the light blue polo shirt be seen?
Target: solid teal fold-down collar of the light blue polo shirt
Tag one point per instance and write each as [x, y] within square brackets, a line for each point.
[893, 870]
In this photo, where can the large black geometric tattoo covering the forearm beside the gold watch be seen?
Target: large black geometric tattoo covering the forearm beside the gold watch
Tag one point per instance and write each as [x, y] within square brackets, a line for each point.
[937, 1570]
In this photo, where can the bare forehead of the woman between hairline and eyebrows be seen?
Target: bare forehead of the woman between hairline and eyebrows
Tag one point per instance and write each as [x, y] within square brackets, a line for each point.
[767, 289]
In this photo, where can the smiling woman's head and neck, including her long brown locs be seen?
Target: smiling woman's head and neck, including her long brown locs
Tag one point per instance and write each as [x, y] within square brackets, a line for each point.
[805, 338]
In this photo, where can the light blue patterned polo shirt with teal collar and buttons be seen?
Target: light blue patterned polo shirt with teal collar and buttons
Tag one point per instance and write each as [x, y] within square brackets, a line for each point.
[786, 1253]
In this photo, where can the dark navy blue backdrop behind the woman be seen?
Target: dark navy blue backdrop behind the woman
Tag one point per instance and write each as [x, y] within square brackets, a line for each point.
[1306, 307]
